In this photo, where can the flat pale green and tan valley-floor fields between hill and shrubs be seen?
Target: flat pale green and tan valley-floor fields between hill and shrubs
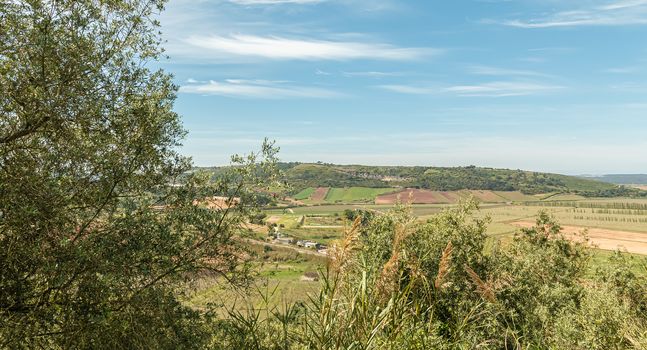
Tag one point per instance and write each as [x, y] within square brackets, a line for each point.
[612, 223]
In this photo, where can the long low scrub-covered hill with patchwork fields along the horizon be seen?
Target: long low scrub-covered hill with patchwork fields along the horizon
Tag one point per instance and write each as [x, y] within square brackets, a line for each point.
[307, 175]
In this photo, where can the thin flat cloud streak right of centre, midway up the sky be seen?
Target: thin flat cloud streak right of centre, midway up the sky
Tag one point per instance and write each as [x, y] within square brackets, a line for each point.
[493, 89]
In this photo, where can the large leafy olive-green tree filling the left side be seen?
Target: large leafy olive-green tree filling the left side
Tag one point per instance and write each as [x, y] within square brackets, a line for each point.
[100, 225]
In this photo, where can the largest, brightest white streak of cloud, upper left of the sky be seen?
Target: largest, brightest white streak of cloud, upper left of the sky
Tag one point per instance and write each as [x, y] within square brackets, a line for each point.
[282, 48]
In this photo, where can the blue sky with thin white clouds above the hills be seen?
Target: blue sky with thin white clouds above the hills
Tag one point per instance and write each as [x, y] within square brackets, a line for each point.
[544, 85]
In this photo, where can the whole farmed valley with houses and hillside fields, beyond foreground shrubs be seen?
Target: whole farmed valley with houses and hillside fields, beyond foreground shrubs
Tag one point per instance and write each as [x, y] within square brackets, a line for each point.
[294, 244]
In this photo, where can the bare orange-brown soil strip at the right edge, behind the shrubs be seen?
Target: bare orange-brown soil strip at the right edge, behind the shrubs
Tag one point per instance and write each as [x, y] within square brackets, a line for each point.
[605, 239]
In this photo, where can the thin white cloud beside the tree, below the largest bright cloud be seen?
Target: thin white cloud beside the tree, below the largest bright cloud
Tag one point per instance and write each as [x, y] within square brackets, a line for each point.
[264, 89]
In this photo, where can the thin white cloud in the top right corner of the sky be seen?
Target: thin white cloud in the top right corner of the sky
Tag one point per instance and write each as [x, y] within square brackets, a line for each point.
[616, 13]
